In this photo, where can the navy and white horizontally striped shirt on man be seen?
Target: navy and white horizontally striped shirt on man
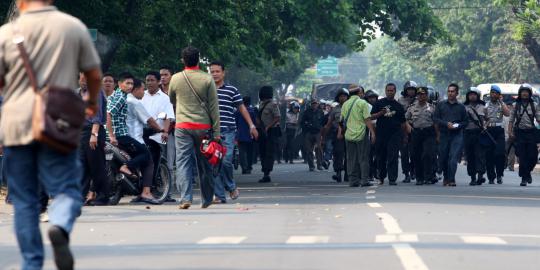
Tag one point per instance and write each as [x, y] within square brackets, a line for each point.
[229, 99]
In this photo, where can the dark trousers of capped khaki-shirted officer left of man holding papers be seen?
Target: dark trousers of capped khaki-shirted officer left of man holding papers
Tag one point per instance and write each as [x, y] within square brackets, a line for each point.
[423, 145]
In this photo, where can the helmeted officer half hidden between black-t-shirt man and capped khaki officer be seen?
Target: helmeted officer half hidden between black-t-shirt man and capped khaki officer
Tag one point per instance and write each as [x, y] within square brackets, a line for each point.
[407, 98]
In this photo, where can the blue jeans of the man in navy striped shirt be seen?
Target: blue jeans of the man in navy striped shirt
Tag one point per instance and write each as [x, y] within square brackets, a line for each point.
[224, 181]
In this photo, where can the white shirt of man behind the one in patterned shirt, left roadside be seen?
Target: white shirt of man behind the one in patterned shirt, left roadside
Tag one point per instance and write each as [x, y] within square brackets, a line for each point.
[137, 117]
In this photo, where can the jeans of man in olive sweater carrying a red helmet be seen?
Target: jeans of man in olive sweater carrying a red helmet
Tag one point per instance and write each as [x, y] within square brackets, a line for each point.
[188, 144]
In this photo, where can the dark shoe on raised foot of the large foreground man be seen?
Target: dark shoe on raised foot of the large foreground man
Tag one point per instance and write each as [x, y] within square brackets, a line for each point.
[60, 243]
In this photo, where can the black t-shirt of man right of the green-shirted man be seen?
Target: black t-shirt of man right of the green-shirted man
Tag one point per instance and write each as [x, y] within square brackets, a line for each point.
[392, 120]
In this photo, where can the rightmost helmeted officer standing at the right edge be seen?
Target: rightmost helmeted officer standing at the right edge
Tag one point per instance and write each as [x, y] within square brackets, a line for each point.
[523, 131]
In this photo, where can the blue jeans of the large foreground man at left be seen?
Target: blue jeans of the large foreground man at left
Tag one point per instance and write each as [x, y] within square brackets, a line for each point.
[28, 166]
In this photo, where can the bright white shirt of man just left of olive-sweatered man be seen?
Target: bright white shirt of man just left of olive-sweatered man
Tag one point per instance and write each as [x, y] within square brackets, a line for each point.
[156, 104]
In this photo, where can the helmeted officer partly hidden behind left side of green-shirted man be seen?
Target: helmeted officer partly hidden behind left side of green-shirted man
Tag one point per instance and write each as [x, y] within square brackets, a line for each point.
[338, 141]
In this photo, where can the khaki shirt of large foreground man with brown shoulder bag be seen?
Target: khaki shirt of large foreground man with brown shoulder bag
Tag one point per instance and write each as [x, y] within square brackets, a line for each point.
[59, 47]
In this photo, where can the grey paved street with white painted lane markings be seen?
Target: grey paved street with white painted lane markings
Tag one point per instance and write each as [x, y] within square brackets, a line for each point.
[304, 221]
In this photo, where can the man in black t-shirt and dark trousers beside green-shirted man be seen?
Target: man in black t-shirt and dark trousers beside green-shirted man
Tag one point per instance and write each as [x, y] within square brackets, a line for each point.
[390, 117]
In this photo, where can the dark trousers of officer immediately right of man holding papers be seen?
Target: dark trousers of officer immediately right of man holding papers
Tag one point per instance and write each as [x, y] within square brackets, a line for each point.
[474, 152]
